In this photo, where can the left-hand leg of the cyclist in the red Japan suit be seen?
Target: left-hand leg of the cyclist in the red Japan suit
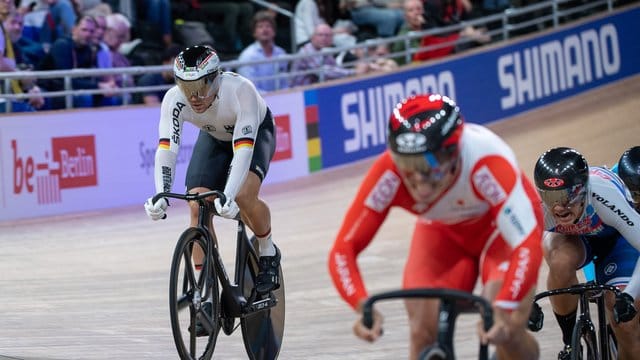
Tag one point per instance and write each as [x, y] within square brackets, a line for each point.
[435, 260]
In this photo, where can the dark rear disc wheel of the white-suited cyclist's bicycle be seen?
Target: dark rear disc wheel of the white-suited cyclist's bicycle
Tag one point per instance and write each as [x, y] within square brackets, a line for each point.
[262, 332]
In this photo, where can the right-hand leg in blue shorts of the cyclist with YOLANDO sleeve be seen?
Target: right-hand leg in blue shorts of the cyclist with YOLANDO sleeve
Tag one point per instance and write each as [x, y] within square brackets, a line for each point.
[616, 269]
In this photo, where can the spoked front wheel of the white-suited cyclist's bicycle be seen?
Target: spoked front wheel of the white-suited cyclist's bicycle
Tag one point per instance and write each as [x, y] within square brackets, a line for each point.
[193, 300]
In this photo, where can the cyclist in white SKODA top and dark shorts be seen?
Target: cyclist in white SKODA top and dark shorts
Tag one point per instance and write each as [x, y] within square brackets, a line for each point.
[233, 151]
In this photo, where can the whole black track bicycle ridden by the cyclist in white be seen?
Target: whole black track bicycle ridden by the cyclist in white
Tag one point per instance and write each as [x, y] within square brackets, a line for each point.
[203, 299]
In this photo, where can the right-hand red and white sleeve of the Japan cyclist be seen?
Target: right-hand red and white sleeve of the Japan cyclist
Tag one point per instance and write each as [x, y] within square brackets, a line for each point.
[513, 202]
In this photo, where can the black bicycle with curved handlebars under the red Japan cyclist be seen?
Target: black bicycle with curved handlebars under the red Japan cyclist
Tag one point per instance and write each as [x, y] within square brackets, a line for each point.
[452, 303]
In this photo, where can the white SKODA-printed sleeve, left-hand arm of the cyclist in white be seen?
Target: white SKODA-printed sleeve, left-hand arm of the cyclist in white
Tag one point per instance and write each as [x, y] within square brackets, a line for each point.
[169, 133]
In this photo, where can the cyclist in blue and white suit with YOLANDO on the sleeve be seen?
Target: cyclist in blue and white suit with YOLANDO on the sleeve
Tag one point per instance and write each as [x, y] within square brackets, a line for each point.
[589, 217]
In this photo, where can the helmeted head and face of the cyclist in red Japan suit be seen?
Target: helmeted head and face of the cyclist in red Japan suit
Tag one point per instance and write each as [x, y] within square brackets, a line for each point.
[424, 132]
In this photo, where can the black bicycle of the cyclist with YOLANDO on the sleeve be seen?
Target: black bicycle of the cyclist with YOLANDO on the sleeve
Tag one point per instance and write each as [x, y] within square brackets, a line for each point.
[586, 342]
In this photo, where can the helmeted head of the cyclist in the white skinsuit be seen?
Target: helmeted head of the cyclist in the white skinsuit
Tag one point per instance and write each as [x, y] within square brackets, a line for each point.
[196, 70]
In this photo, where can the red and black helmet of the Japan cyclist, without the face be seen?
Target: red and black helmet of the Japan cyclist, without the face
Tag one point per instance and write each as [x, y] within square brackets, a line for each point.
[424, 123]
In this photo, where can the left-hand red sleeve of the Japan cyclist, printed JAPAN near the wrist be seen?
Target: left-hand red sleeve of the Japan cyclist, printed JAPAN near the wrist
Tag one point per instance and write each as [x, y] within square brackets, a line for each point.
[364, 217]
